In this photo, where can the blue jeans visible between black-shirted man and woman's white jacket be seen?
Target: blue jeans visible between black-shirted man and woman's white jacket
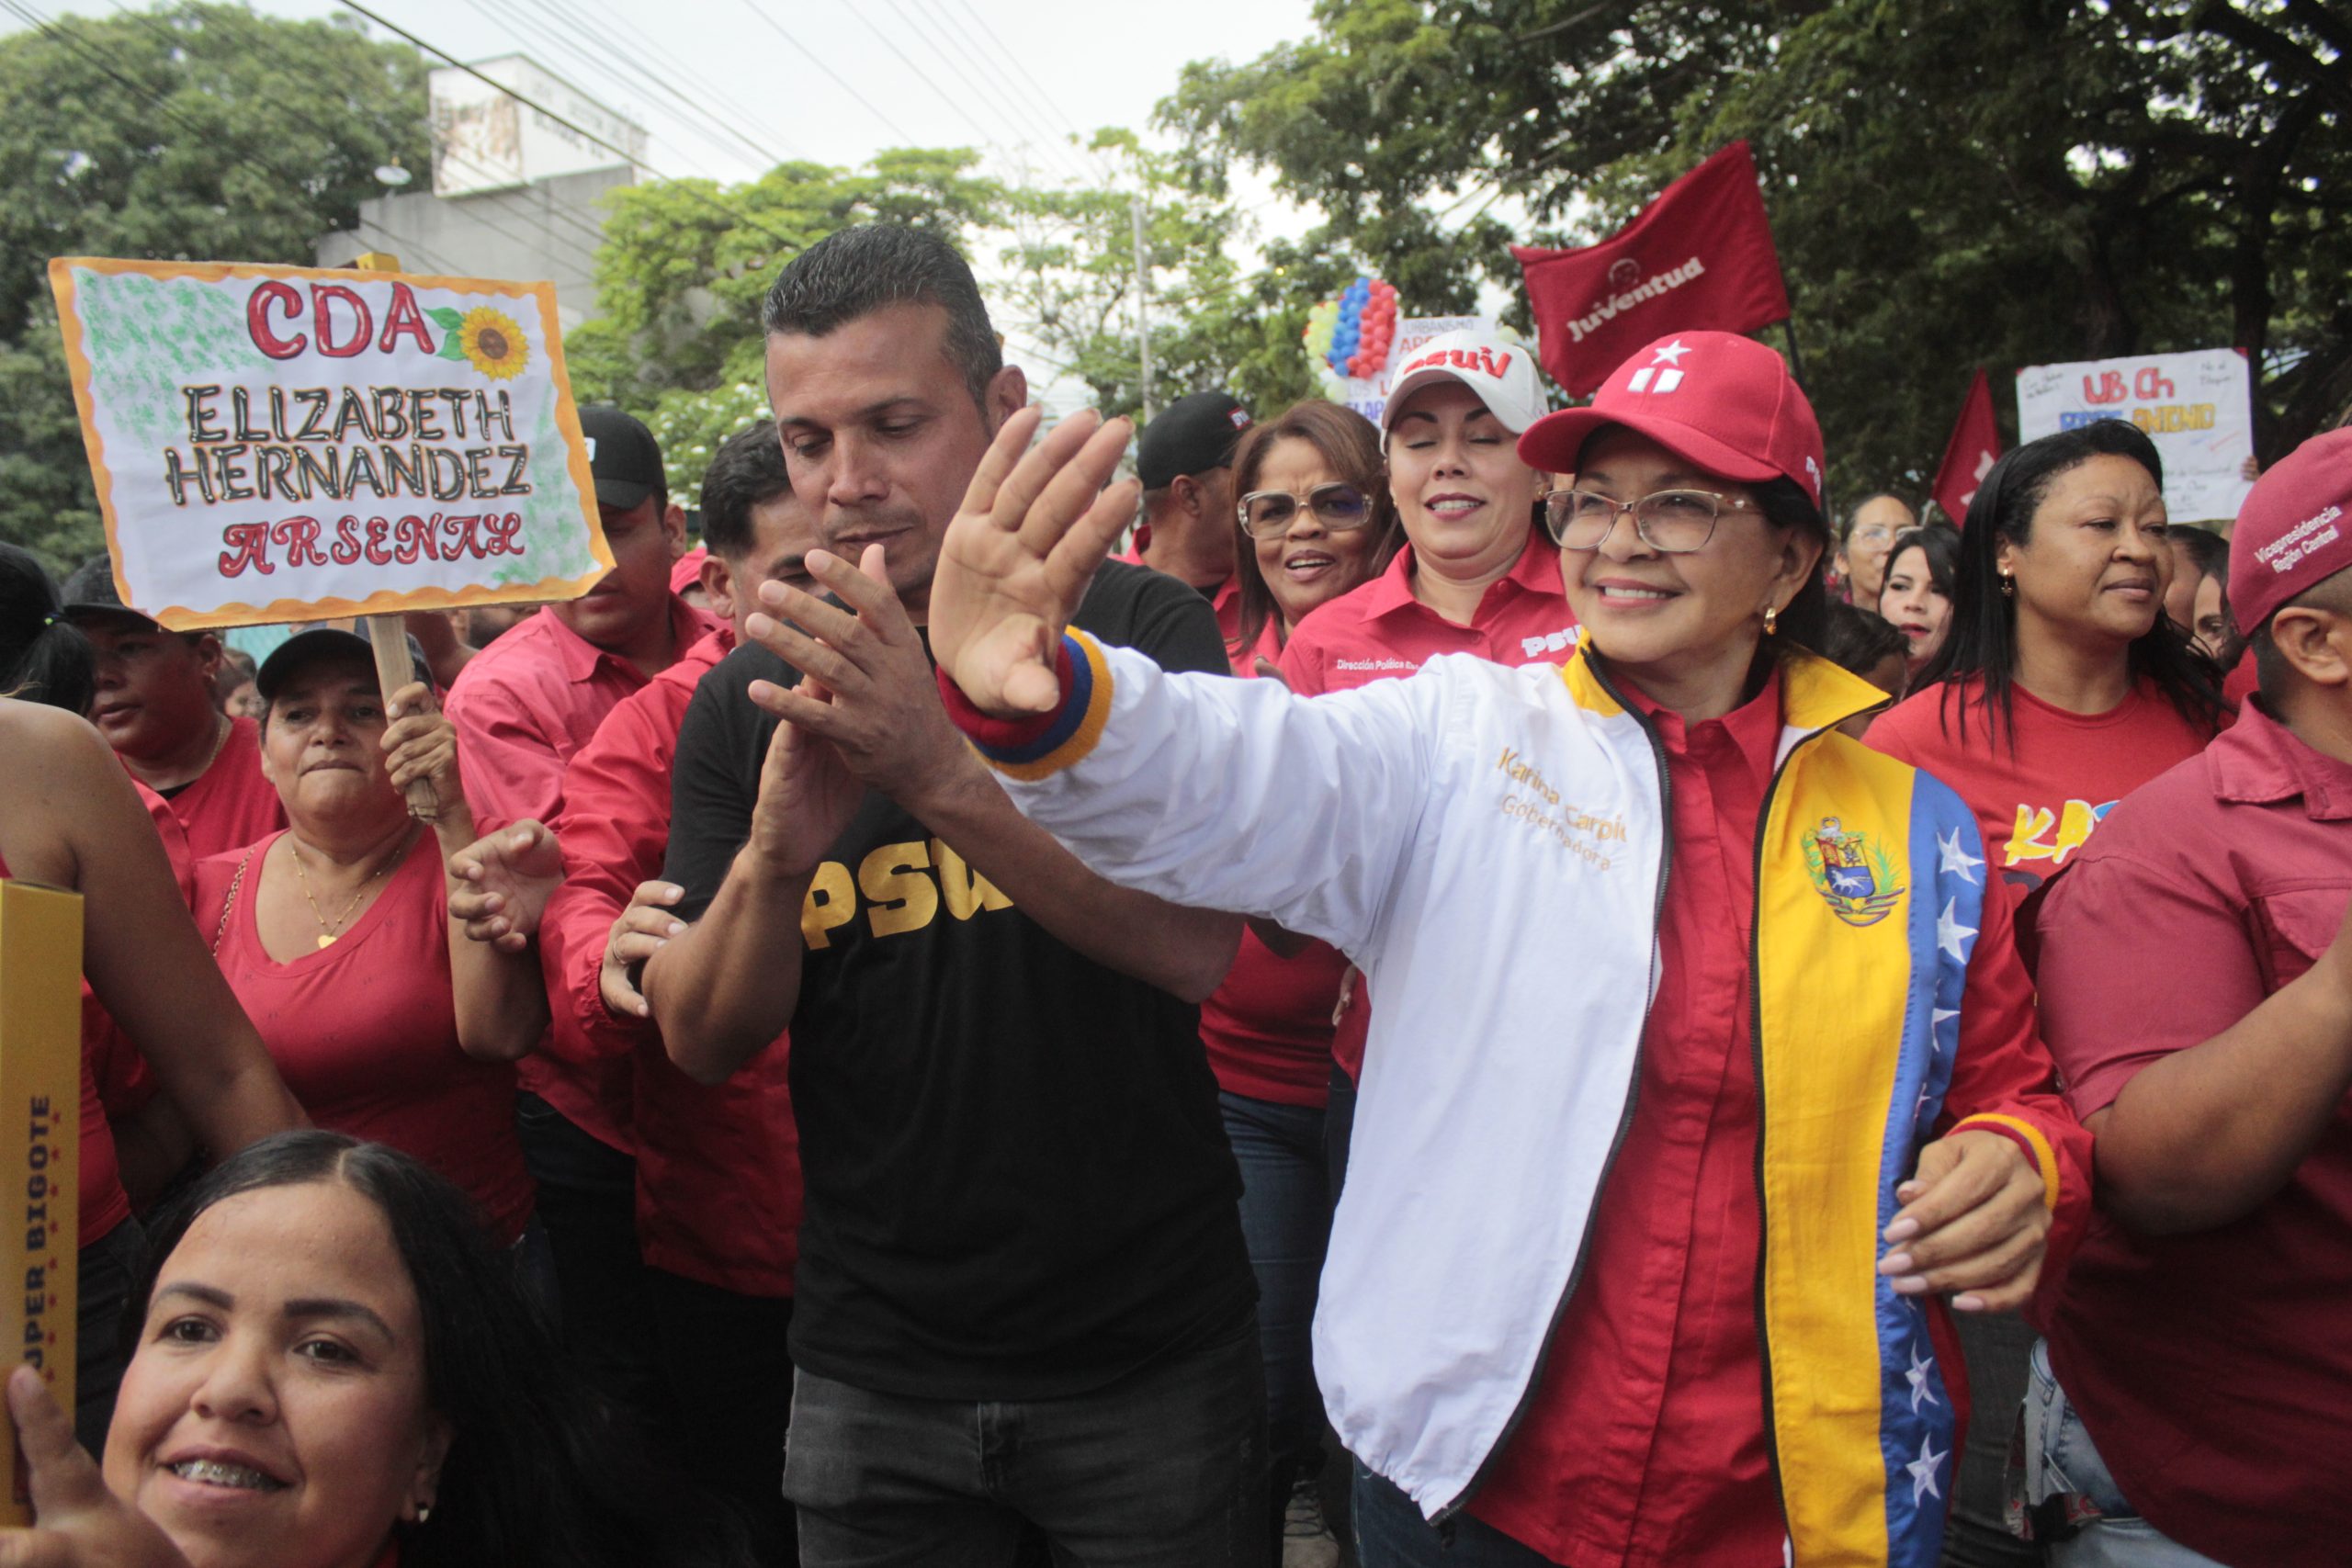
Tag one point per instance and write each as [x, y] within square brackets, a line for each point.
[1285, 1224]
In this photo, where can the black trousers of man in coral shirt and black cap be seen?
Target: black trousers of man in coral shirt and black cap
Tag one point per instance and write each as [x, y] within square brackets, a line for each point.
[589, 1209]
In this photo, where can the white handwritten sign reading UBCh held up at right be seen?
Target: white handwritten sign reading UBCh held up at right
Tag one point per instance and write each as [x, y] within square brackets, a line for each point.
[2196, 408]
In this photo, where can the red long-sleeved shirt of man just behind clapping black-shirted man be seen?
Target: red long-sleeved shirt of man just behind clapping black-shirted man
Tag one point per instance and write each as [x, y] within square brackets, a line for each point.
[719, 1167]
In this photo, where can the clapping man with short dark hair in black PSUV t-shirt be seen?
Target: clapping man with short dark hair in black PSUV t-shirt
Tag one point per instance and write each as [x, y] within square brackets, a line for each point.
[1022, 1289]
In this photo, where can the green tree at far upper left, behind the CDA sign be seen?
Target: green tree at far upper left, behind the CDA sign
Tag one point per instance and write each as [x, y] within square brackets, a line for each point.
[194, 133]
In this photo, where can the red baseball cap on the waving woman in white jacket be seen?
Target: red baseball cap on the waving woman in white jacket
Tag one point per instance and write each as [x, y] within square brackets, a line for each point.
[1716, 398]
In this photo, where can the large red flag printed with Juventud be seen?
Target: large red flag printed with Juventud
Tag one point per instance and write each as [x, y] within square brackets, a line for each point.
[1697, 260]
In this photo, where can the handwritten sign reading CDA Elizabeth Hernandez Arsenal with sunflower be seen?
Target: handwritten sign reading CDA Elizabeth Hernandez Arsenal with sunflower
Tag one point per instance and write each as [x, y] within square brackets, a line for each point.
[302, 443]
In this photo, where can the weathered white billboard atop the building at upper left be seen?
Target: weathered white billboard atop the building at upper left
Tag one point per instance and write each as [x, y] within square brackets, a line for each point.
[486, 140]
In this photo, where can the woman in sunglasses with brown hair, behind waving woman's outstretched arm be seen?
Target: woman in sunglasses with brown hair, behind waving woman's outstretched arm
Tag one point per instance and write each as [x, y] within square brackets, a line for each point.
[1316, 523]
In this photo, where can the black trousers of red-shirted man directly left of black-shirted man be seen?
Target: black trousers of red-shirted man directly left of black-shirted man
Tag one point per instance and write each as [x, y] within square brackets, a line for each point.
[728, 1398]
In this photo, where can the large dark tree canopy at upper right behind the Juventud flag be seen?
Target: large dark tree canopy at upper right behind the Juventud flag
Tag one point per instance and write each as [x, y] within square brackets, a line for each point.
[1951, 187]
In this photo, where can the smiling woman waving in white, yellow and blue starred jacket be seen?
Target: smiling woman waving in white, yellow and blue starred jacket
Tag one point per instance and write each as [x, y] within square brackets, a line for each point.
[1704, 1059]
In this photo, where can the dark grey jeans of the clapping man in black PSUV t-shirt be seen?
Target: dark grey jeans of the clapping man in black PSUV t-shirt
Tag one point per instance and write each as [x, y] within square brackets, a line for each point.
[1158, 1470]
